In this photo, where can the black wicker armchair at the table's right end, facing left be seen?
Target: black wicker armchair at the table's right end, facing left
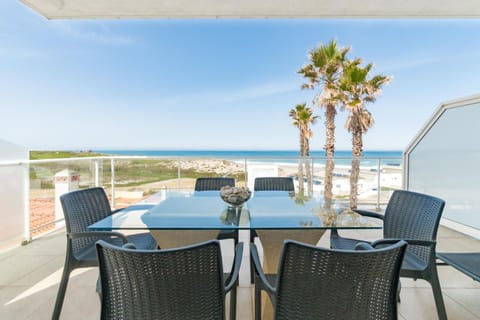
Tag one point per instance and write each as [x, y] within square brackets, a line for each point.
[413, 217]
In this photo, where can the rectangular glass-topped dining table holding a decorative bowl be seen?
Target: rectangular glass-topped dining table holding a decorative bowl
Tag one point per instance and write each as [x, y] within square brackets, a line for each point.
[274, 215]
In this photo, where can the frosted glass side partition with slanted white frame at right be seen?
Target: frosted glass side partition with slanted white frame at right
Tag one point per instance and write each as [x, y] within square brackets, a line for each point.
[442, 160]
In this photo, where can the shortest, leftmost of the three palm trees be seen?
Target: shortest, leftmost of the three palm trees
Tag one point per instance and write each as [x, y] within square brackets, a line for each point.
[302, 118]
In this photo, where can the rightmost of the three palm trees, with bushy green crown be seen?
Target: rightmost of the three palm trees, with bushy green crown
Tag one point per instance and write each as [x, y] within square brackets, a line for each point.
[358, 89]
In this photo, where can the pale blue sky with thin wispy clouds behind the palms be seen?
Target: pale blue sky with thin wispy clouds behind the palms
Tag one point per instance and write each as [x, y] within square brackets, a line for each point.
[214, 84]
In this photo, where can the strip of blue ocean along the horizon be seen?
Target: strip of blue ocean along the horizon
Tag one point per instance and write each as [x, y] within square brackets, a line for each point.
[370, 158]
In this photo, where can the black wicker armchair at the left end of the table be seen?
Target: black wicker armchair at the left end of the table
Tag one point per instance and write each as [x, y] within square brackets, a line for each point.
[82, 208]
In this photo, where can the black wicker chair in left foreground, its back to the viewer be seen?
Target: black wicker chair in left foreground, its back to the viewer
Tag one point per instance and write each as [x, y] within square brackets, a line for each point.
[182, 283]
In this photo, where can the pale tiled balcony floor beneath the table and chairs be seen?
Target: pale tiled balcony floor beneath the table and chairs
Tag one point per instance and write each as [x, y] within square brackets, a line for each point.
[30, 275]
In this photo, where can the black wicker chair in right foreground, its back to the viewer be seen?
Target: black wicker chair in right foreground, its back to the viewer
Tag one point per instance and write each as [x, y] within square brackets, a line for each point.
[316, 282]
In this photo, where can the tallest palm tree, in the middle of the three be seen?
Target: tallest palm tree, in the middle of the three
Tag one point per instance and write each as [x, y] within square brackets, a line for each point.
[325, 67]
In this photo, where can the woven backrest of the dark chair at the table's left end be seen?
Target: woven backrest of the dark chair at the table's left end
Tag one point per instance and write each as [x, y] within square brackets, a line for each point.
[82, 208]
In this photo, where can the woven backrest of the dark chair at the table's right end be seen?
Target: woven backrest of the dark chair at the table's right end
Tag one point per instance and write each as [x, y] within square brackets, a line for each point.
[411, 215]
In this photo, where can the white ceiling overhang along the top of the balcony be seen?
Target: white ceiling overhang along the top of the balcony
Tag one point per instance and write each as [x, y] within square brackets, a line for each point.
[88, 9]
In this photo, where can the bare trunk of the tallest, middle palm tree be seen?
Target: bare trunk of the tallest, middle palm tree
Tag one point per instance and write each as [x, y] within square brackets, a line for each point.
[330, 113]
